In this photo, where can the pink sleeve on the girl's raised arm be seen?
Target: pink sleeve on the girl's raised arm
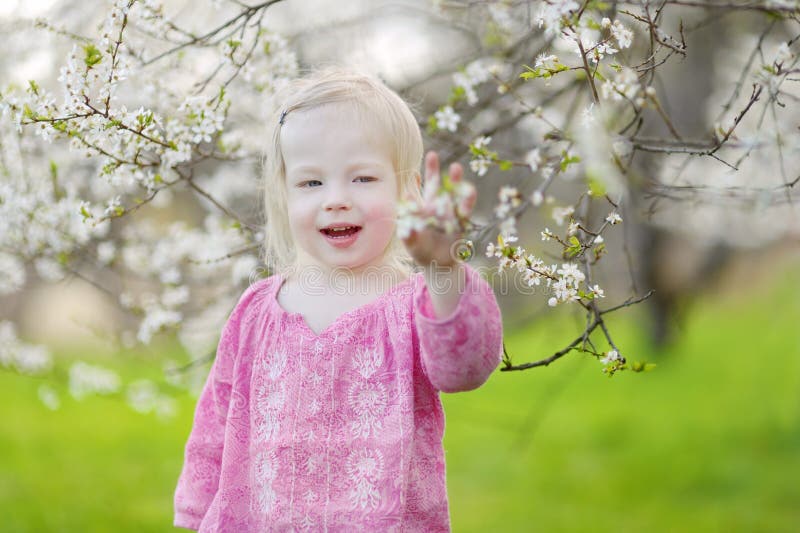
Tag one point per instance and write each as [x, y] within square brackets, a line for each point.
[460, 351]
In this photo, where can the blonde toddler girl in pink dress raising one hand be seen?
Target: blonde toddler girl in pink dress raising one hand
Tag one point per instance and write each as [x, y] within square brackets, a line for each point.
[322, 409]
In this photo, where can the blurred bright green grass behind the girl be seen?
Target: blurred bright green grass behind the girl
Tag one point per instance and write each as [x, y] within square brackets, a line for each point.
[709, 441]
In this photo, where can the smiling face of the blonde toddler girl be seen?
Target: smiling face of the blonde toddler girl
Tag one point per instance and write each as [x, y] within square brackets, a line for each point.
[338, 174]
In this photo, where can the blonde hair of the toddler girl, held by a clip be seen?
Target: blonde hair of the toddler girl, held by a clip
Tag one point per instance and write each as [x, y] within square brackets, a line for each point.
[372, 101]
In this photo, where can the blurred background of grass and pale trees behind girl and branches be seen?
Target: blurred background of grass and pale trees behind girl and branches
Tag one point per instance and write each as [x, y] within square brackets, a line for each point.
[709, 440]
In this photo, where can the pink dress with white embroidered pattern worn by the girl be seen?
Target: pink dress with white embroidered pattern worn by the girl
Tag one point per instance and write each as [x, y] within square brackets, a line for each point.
[340, 431]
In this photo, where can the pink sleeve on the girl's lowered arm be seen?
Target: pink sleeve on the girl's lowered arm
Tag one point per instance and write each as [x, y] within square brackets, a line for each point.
[199, 480]
